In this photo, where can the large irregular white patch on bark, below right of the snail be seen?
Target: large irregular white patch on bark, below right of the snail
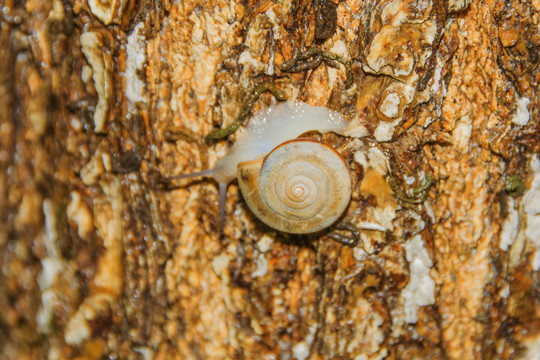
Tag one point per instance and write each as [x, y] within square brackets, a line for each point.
[420, 291]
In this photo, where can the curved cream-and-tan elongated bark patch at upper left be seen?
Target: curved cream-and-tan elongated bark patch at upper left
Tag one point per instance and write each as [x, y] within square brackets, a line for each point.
[100, 60]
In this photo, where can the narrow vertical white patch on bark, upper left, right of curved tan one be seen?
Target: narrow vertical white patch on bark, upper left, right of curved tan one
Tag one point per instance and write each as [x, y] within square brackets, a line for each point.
[136, 58]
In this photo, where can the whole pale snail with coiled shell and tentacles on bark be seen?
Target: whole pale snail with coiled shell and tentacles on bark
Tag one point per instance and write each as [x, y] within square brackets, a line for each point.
[297, 186]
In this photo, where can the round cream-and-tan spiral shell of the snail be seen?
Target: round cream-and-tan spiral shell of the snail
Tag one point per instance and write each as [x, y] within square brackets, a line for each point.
[302, 186]
